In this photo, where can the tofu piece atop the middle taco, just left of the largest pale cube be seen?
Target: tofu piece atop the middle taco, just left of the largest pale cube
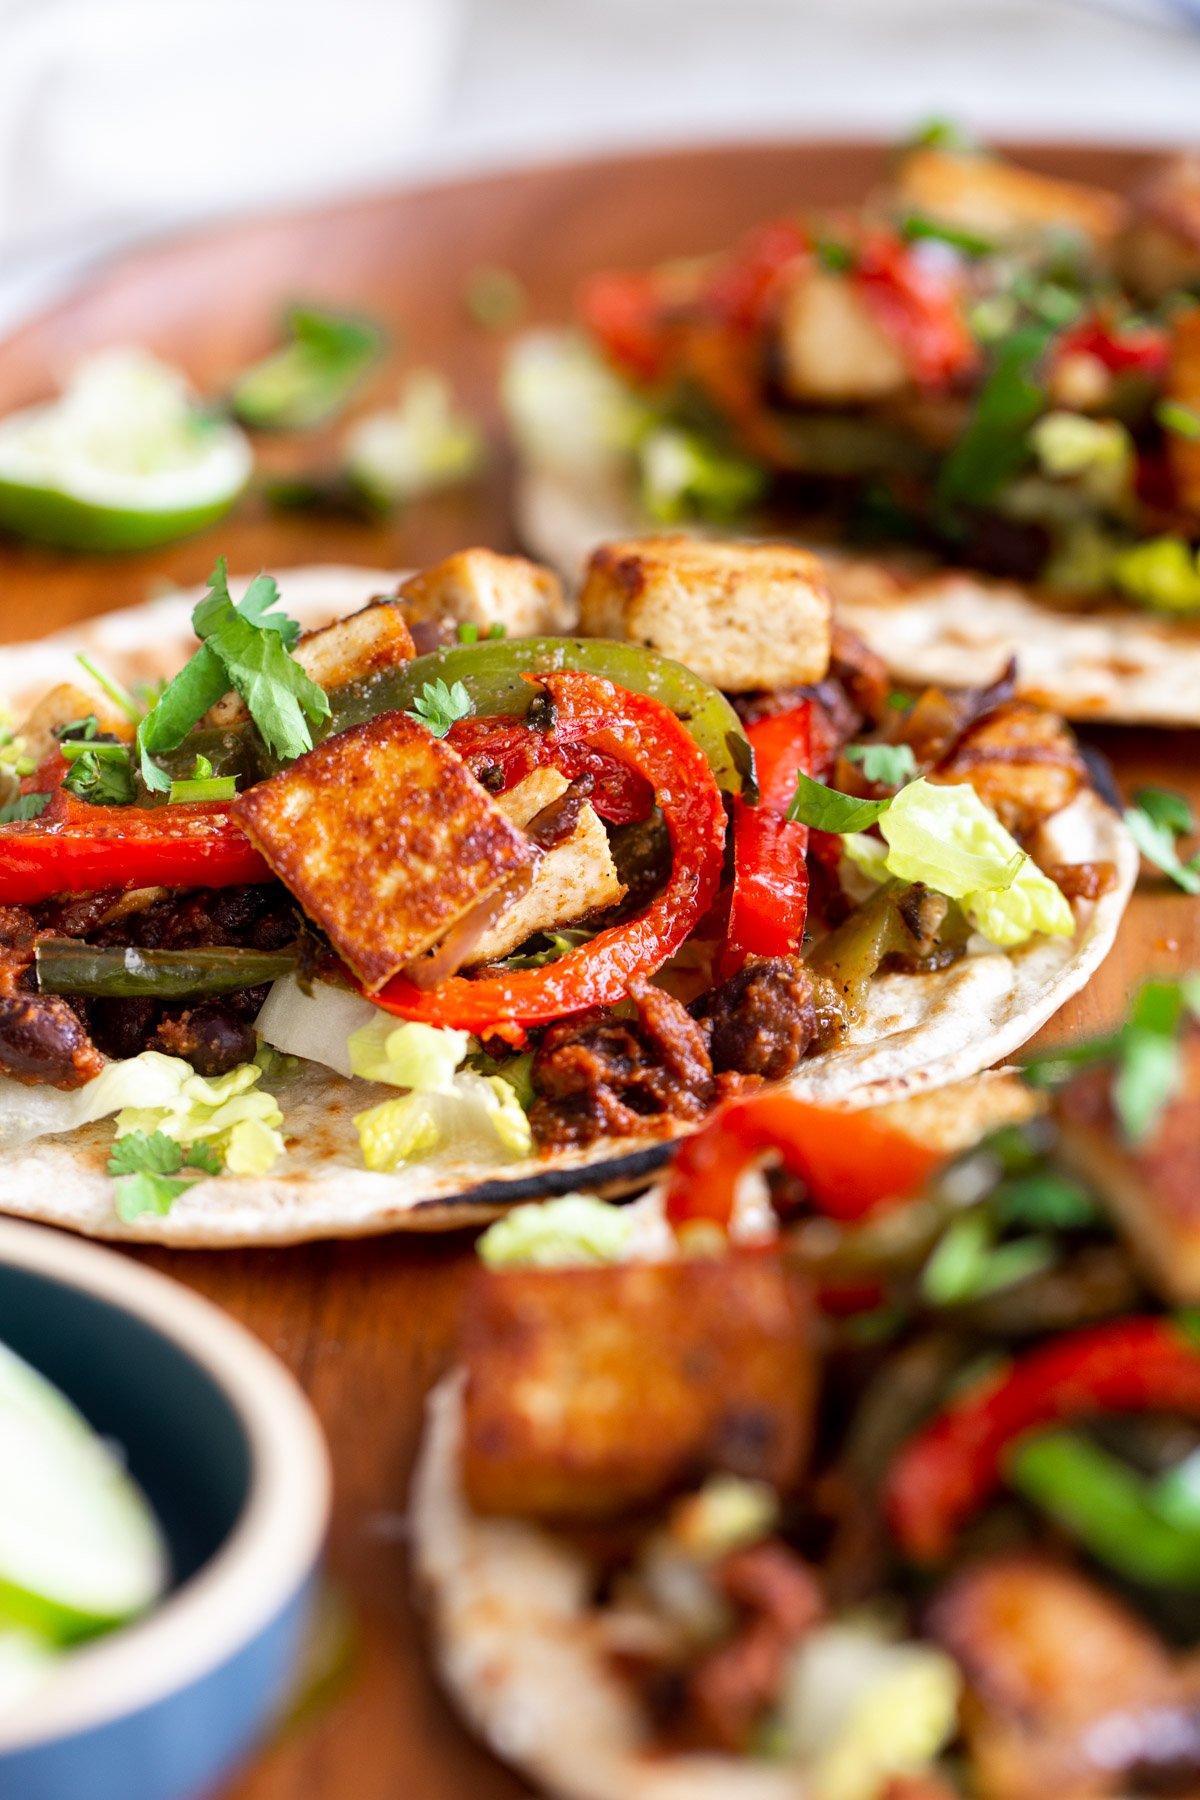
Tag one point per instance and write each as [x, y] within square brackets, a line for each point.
[485, 589]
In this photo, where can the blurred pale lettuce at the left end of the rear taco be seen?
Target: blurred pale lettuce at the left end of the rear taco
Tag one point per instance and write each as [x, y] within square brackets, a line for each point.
[566, 406]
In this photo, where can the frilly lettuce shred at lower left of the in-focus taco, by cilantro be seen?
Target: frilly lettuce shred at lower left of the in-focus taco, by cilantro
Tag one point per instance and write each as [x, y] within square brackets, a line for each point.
[229, 1111]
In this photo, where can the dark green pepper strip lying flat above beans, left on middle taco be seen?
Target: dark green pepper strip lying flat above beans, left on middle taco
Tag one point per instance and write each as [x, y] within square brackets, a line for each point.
[66, 966]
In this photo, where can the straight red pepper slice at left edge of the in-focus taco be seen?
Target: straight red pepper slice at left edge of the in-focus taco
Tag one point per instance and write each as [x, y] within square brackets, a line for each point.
[78, 849]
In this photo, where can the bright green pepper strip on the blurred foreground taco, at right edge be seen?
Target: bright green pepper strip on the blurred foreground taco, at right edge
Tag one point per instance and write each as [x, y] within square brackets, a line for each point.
[1107, 1507]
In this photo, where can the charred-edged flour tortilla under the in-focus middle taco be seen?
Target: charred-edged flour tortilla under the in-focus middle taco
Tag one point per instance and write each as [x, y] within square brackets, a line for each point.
[920, 1032]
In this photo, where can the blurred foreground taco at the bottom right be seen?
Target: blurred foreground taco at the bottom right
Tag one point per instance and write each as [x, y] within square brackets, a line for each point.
[866, 1484]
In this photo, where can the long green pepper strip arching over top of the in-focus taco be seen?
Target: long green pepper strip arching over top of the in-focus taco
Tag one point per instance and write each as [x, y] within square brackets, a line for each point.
[494, 674]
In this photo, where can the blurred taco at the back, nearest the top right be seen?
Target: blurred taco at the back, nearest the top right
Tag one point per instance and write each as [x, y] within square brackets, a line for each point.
[978, 391]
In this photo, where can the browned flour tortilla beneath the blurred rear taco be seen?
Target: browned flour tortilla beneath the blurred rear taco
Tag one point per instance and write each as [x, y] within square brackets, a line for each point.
[951, 629]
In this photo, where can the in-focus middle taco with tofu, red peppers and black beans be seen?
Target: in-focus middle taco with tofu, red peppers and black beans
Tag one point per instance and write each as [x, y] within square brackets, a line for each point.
[431, 910]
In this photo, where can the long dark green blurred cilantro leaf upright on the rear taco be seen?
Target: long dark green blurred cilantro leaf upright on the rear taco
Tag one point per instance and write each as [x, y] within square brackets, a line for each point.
[996, 444]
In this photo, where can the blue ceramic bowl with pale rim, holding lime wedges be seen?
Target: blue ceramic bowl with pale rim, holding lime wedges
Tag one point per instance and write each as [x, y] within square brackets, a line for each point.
[235, 1466]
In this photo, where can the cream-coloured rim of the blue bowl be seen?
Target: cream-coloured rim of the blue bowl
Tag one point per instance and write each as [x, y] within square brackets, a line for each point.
[273, 1547]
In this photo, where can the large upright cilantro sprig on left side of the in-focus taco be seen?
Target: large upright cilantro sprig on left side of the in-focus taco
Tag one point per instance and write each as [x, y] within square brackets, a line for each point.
[244, 647]
